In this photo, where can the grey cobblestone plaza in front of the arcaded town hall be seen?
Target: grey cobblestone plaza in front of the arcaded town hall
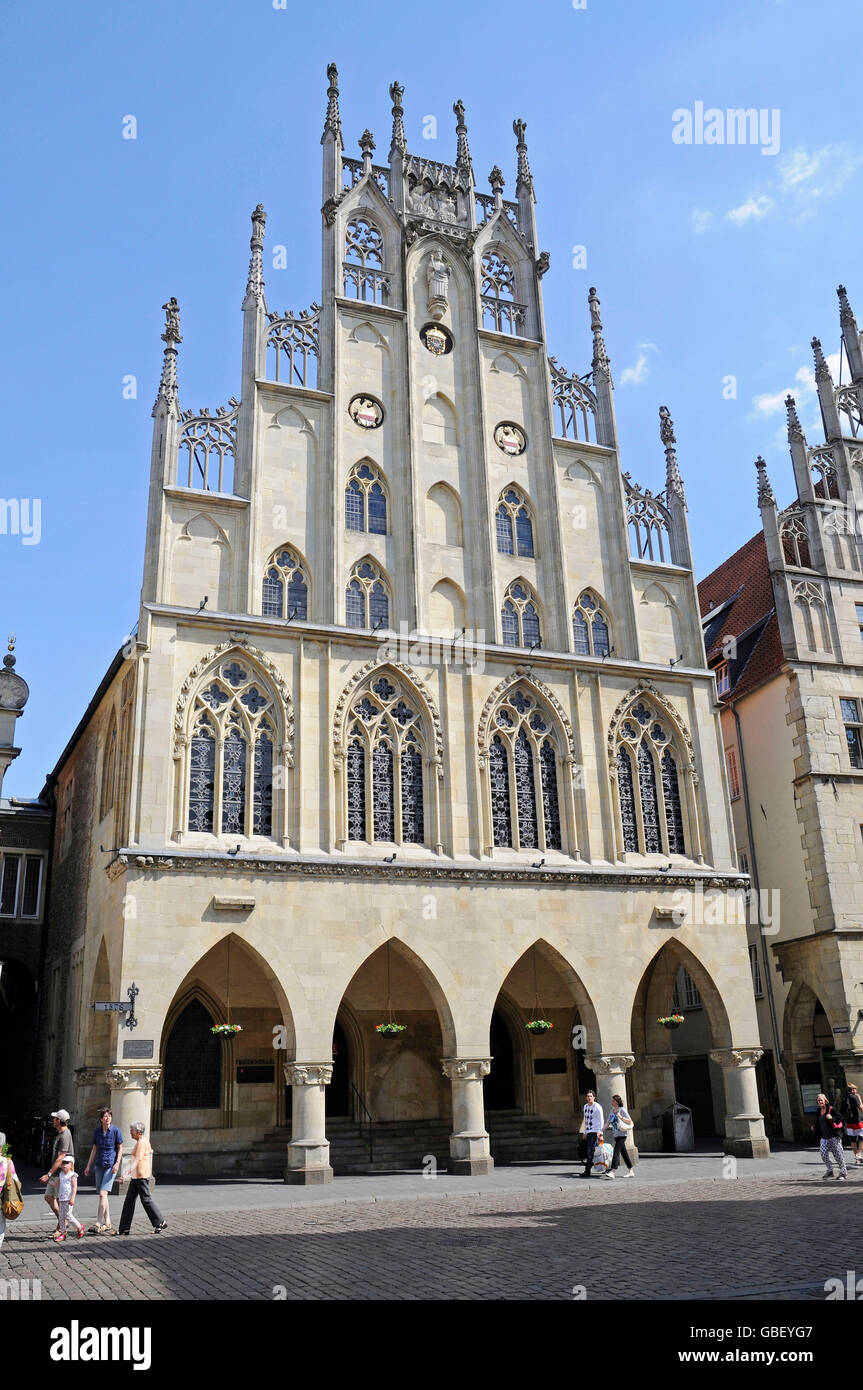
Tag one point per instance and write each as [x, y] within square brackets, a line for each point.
[679, 1231]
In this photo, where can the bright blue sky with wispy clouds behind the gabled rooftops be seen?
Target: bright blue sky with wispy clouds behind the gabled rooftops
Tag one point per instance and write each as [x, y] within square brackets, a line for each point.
[711, 261]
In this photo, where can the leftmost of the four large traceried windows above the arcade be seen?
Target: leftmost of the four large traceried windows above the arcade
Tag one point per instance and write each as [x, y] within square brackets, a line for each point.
[231, 754]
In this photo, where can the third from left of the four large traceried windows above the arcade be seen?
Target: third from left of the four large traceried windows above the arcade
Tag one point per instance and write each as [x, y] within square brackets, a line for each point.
[523, 768]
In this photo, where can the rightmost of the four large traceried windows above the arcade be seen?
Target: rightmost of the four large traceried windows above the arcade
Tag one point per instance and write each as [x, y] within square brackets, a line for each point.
[648, 785]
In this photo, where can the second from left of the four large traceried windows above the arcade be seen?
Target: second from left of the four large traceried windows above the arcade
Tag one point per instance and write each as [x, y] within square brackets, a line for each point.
[386, 796]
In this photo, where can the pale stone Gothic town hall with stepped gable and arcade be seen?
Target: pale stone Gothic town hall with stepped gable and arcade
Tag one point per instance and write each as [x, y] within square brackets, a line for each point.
[416, 730]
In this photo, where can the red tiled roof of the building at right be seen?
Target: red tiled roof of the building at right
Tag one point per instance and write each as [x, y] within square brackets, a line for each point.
[746, 579]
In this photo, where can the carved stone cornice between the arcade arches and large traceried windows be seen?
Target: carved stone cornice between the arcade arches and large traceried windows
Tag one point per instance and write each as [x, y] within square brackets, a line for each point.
[243, 867]
